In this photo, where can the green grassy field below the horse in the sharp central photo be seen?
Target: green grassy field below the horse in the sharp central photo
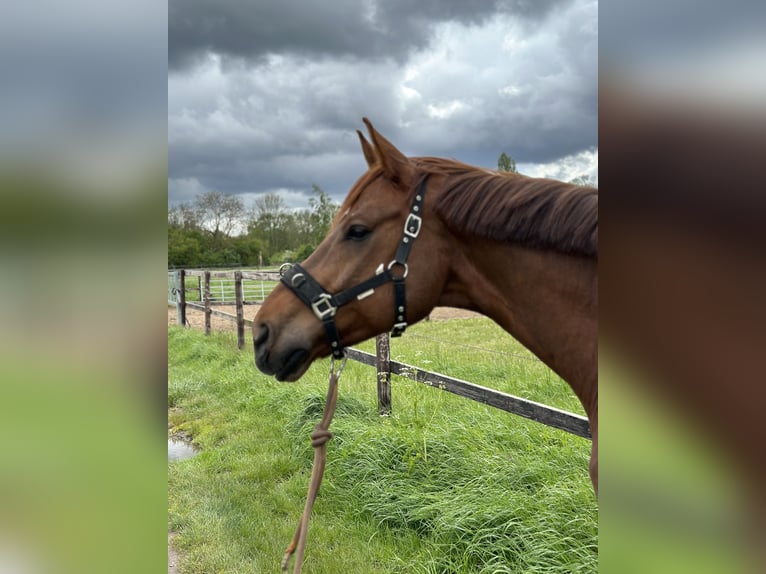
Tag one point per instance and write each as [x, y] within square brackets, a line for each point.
[443, 485]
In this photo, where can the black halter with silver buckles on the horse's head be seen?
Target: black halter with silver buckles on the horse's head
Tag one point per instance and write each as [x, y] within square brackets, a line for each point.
[325, 305]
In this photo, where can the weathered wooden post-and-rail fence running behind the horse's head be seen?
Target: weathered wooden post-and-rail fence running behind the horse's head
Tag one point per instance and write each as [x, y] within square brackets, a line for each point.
[550, 416]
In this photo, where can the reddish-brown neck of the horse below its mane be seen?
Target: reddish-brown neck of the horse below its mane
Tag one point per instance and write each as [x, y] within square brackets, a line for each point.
[547, 301]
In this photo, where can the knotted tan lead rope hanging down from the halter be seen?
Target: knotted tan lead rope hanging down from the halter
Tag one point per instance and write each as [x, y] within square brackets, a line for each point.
[319, 439]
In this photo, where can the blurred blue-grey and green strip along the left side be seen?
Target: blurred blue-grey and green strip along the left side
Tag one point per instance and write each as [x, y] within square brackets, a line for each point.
[82, 345]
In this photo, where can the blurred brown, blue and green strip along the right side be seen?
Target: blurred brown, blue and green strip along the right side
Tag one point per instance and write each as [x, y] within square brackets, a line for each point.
[682, 321]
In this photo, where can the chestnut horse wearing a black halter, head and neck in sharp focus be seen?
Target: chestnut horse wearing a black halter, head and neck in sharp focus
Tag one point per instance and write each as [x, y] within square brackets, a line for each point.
[414, 233]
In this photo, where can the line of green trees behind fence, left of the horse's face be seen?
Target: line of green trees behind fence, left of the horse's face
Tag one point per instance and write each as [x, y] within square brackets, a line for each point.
[216, 229]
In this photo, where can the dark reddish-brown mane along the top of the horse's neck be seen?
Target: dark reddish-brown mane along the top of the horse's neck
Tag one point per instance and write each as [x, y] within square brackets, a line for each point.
[512, 208]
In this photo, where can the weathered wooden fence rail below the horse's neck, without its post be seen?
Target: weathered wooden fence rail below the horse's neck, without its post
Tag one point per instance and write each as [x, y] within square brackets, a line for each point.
[532, 410]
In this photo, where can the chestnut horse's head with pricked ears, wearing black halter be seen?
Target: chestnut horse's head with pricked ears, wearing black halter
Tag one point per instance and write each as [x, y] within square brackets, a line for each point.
[381, 267]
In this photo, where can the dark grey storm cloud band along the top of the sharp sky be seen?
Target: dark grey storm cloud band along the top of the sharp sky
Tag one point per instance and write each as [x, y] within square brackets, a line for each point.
[362, 29]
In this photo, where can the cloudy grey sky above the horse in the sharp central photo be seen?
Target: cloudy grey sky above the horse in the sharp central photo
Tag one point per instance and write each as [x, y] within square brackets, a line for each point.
[265, 96]
